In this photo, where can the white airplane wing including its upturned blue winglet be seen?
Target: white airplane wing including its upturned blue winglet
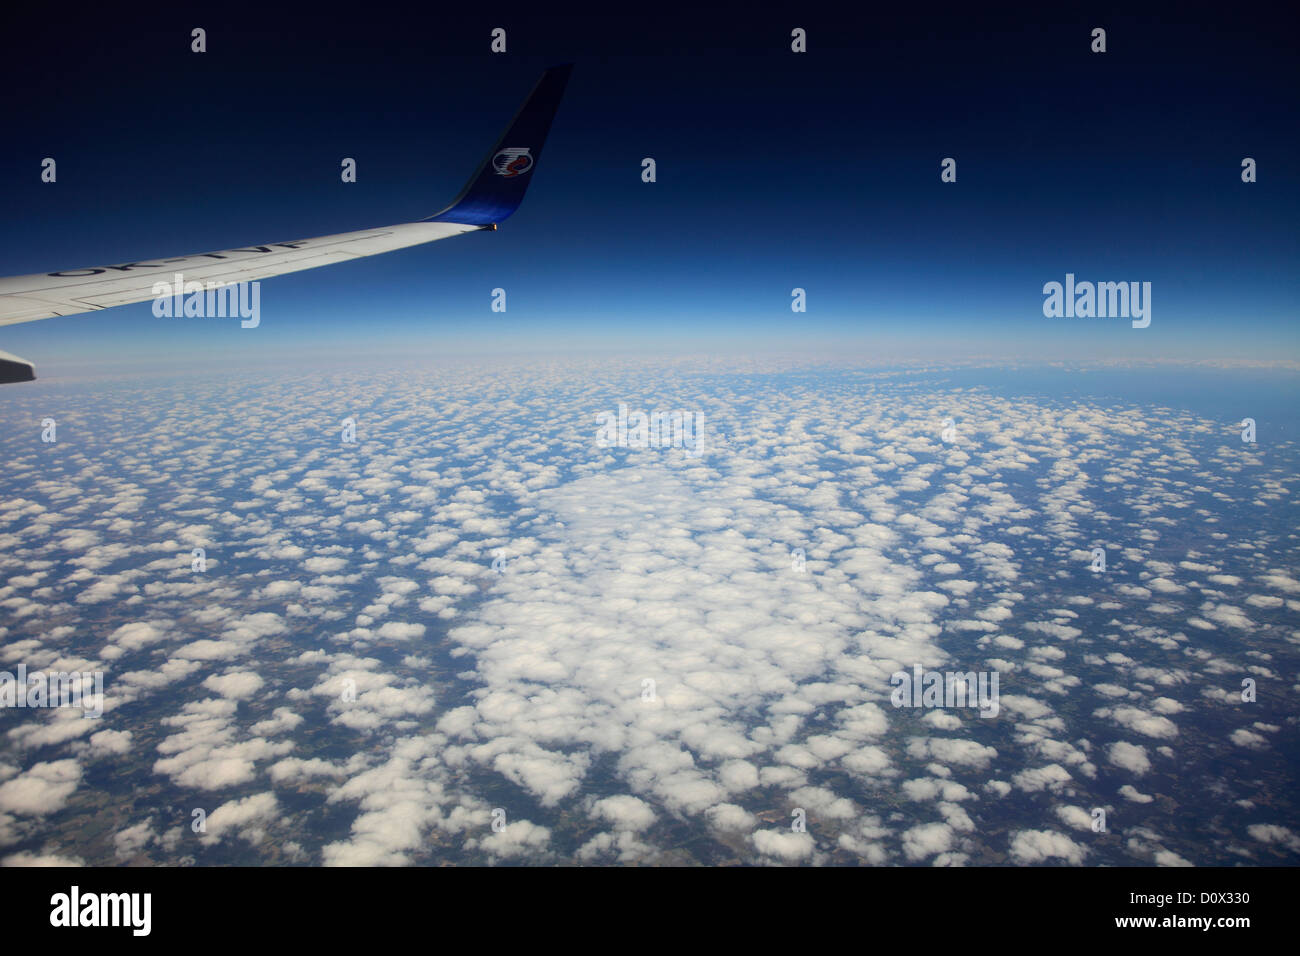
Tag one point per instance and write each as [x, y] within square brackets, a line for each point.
[493, 193]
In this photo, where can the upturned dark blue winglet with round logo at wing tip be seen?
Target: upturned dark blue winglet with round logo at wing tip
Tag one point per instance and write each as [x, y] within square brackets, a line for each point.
[497, 188]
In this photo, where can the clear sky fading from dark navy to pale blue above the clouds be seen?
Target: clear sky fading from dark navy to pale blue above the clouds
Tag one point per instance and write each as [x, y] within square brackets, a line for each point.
[774, 171]
